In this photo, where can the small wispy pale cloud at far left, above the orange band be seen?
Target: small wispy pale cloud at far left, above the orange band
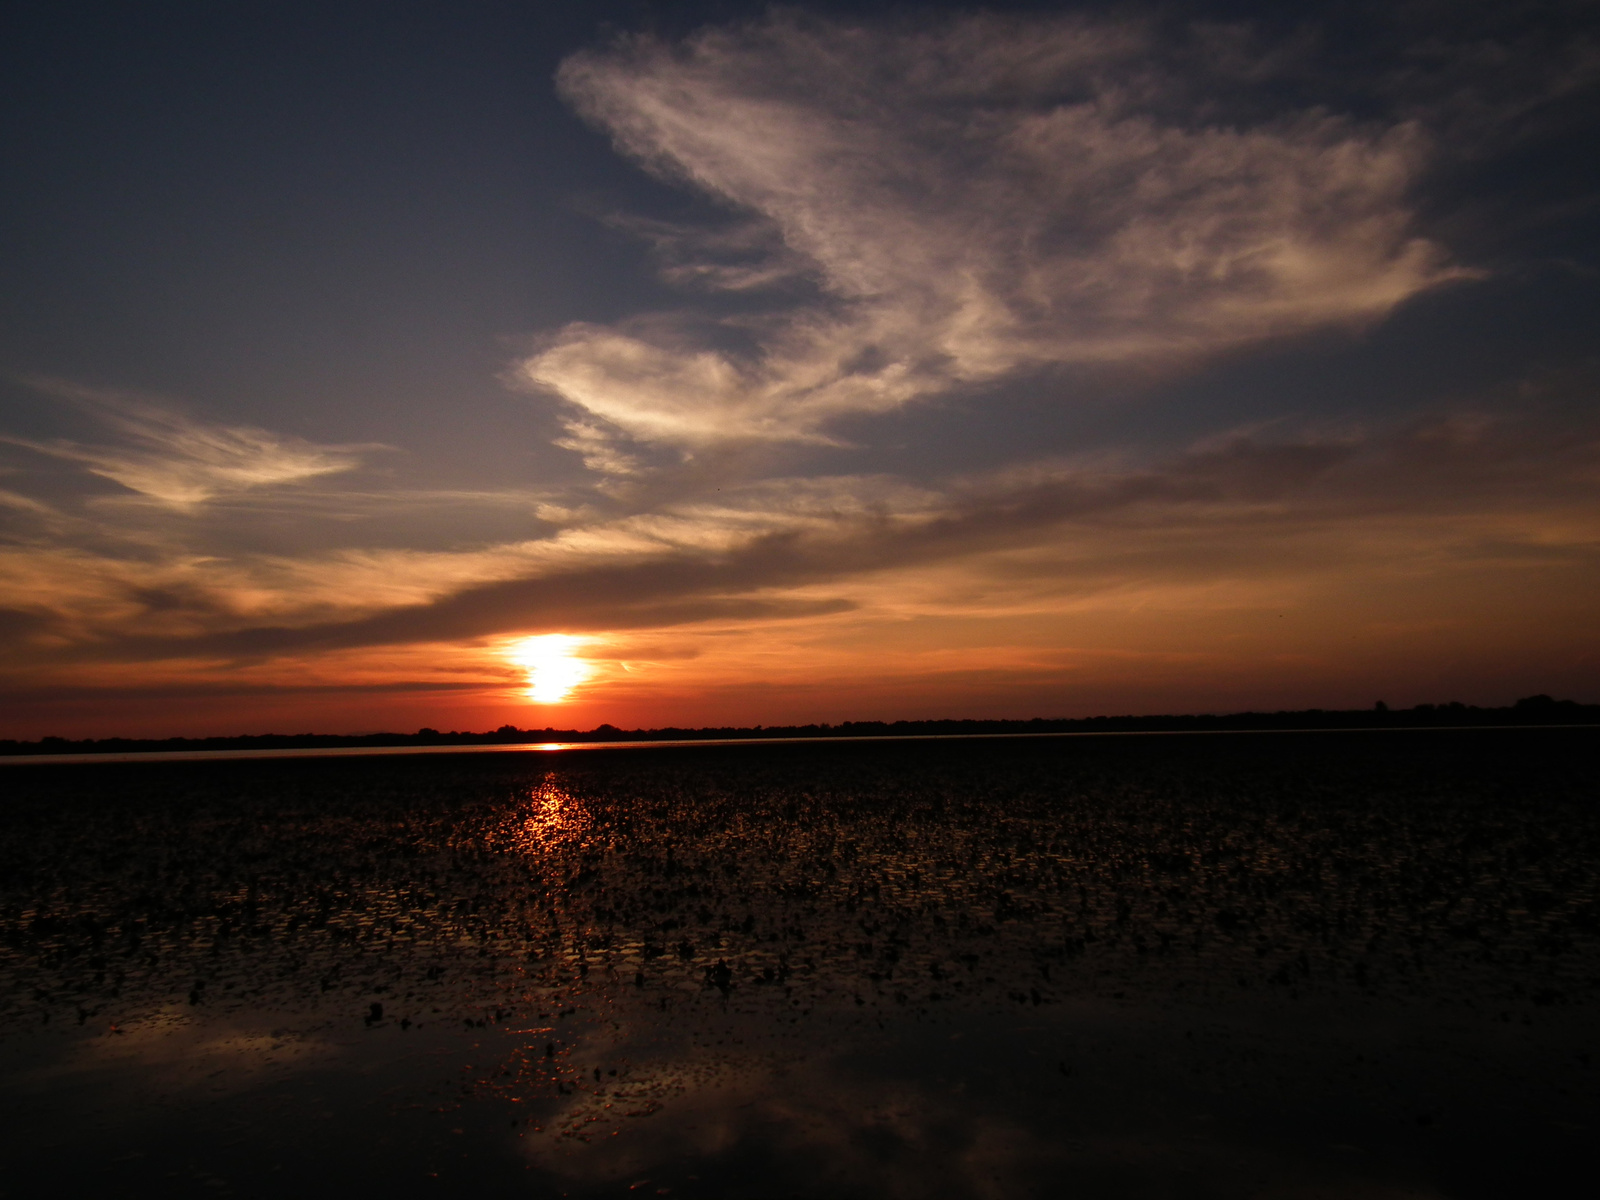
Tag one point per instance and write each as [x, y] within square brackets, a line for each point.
[183, 463]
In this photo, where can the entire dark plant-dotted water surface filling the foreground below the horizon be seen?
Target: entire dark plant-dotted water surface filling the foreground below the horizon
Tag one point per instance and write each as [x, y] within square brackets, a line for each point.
[1282, 966]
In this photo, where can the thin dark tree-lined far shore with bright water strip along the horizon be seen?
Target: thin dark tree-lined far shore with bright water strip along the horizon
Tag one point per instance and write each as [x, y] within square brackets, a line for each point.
[1535, 711]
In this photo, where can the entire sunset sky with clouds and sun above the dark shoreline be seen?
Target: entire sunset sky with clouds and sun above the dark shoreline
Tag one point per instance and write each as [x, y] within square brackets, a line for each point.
[380, 366]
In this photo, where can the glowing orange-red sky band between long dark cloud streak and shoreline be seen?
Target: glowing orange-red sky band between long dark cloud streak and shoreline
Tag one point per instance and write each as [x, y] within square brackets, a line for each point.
[1348, 639]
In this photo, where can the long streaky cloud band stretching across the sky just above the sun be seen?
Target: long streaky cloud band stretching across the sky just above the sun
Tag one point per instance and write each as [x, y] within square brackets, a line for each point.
[1231, 514]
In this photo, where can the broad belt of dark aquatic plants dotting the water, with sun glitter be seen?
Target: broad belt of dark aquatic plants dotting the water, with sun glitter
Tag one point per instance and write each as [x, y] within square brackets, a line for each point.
[786, 878]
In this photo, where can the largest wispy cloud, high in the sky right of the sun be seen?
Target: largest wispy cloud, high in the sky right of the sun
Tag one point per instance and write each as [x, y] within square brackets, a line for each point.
[983, 199]
